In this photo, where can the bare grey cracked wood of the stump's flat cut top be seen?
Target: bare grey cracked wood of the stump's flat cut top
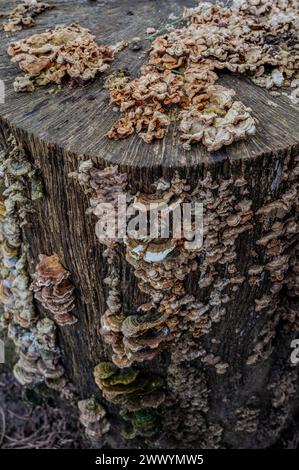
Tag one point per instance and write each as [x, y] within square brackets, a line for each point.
[78, 119]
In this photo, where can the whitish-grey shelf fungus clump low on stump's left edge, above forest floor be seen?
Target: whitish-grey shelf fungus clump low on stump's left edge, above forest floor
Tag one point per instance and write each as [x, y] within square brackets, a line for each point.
[40, 358]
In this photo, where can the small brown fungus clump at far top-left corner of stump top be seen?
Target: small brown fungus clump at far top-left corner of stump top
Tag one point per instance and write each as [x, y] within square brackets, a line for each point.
[23, 16]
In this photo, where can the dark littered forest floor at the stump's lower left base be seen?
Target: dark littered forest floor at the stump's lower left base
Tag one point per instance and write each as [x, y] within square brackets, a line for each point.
[28, 422]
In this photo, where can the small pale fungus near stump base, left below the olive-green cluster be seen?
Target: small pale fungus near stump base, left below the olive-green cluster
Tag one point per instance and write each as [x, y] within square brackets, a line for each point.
[93, 418]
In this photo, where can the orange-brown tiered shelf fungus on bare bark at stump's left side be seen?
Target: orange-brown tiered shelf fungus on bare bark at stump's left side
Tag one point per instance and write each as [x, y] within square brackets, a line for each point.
[54, 290]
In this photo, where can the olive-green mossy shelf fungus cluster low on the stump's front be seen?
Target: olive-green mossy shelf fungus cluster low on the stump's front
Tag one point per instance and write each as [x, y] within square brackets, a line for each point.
[137, 393]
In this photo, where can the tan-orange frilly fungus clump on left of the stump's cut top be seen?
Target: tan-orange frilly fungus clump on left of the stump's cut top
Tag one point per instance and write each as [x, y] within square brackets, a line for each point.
[63, 53]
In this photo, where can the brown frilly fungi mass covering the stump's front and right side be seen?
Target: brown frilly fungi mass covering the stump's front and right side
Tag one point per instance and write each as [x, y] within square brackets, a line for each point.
[175, 318]
